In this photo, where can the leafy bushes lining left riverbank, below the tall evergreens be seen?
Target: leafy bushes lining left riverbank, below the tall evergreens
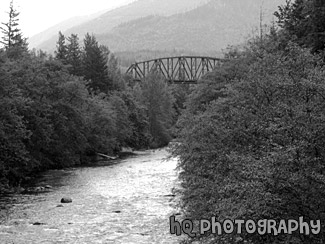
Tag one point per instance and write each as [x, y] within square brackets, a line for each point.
[49, 119]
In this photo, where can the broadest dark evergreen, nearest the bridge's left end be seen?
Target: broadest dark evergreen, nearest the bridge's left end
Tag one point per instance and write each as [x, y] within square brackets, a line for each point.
[95, 65]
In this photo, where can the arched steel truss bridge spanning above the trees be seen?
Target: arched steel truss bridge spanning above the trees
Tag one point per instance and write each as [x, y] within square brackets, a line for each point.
[184, 69]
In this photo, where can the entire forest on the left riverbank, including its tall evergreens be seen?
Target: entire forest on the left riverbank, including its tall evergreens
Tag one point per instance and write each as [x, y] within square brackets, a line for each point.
[59, 110]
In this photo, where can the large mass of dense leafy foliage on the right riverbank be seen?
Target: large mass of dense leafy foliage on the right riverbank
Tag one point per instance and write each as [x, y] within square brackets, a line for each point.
[252, 139]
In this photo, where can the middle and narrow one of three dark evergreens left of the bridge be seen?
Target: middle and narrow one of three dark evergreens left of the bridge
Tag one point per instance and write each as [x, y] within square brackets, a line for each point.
[74, 55]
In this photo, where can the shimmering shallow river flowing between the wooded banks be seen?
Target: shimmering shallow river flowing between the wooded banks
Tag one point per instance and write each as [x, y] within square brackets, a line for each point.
[127, 202]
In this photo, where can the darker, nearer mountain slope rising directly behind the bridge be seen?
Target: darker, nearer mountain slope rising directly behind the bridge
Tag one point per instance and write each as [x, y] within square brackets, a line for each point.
[205, 29]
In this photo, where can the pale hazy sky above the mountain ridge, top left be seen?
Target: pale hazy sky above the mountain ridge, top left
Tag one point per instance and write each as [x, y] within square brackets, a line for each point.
[38, 15]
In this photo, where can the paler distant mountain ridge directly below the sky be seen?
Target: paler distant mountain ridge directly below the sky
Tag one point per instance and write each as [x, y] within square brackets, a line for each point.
[107, 21]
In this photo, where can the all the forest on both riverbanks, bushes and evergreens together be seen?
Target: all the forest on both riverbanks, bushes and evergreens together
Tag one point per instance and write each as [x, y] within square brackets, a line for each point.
[251, 134]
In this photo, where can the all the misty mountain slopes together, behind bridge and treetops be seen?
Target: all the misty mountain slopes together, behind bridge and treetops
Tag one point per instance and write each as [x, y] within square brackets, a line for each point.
[201, 26]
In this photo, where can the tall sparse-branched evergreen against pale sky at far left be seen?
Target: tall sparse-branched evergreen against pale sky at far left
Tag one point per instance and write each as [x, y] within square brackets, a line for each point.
[12, 39]
